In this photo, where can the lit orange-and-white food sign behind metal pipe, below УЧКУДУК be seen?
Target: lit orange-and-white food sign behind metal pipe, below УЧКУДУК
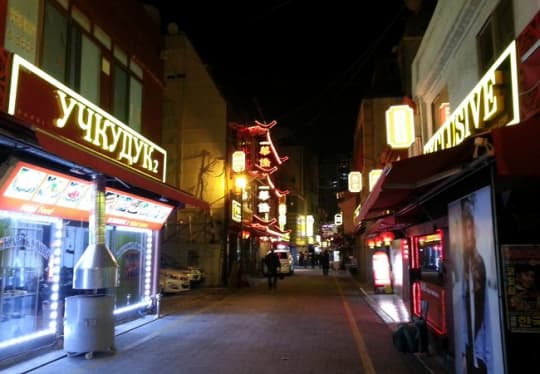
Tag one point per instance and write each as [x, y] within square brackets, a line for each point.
[35, 190]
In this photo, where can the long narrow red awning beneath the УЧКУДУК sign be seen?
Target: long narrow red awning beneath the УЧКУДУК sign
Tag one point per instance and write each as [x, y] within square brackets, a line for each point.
[71, 152]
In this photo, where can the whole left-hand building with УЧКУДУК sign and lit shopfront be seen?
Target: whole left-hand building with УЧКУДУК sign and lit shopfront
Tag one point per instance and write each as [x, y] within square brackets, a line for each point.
[84, 197]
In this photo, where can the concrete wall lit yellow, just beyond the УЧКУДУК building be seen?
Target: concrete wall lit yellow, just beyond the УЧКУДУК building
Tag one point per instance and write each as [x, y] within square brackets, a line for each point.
[194, 135]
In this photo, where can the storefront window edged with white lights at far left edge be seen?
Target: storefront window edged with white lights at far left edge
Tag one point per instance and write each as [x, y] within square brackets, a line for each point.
[27, 268]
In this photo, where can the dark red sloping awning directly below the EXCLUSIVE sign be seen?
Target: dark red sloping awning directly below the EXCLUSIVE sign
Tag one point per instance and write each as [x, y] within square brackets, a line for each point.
[403, 180]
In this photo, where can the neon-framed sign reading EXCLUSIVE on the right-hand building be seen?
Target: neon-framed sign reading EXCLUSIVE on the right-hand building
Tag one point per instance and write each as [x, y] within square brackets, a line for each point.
[493, 102]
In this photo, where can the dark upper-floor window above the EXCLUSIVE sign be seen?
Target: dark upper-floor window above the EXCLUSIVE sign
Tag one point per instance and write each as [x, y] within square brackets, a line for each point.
[495, 35]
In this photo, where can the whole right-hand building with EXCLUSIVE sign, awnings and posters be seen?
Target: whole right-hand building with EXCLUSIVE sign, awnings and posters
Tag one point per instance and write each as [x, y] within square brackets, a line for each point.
[461, 208]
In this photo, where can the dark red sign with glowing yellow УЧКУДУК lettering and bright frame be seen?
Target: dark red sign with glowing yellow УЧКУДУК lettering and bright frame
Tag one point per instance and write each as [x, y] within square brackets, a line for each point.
[39, 99]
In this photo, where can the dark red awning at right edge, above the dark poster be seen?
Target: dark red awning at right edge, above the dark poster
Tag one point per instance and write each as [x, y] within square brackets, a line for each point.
[516, 149]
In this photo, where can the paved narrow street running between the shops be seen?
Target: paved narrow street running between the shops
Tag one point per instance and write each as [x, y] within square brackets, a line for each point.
[310, 324]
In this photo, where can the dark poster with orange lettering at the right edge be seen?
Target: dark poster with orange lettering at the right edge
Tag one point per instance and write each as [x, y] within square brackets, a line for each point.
[521, 269]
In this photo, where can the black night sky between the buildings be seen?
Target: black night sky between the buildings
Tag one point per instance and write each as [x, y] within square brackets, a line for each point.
[303, 63]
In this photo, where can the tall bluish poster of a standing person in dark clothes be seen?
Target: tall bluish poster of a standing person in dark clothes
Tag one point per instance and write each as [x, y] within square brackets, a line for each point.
[476, 307]
